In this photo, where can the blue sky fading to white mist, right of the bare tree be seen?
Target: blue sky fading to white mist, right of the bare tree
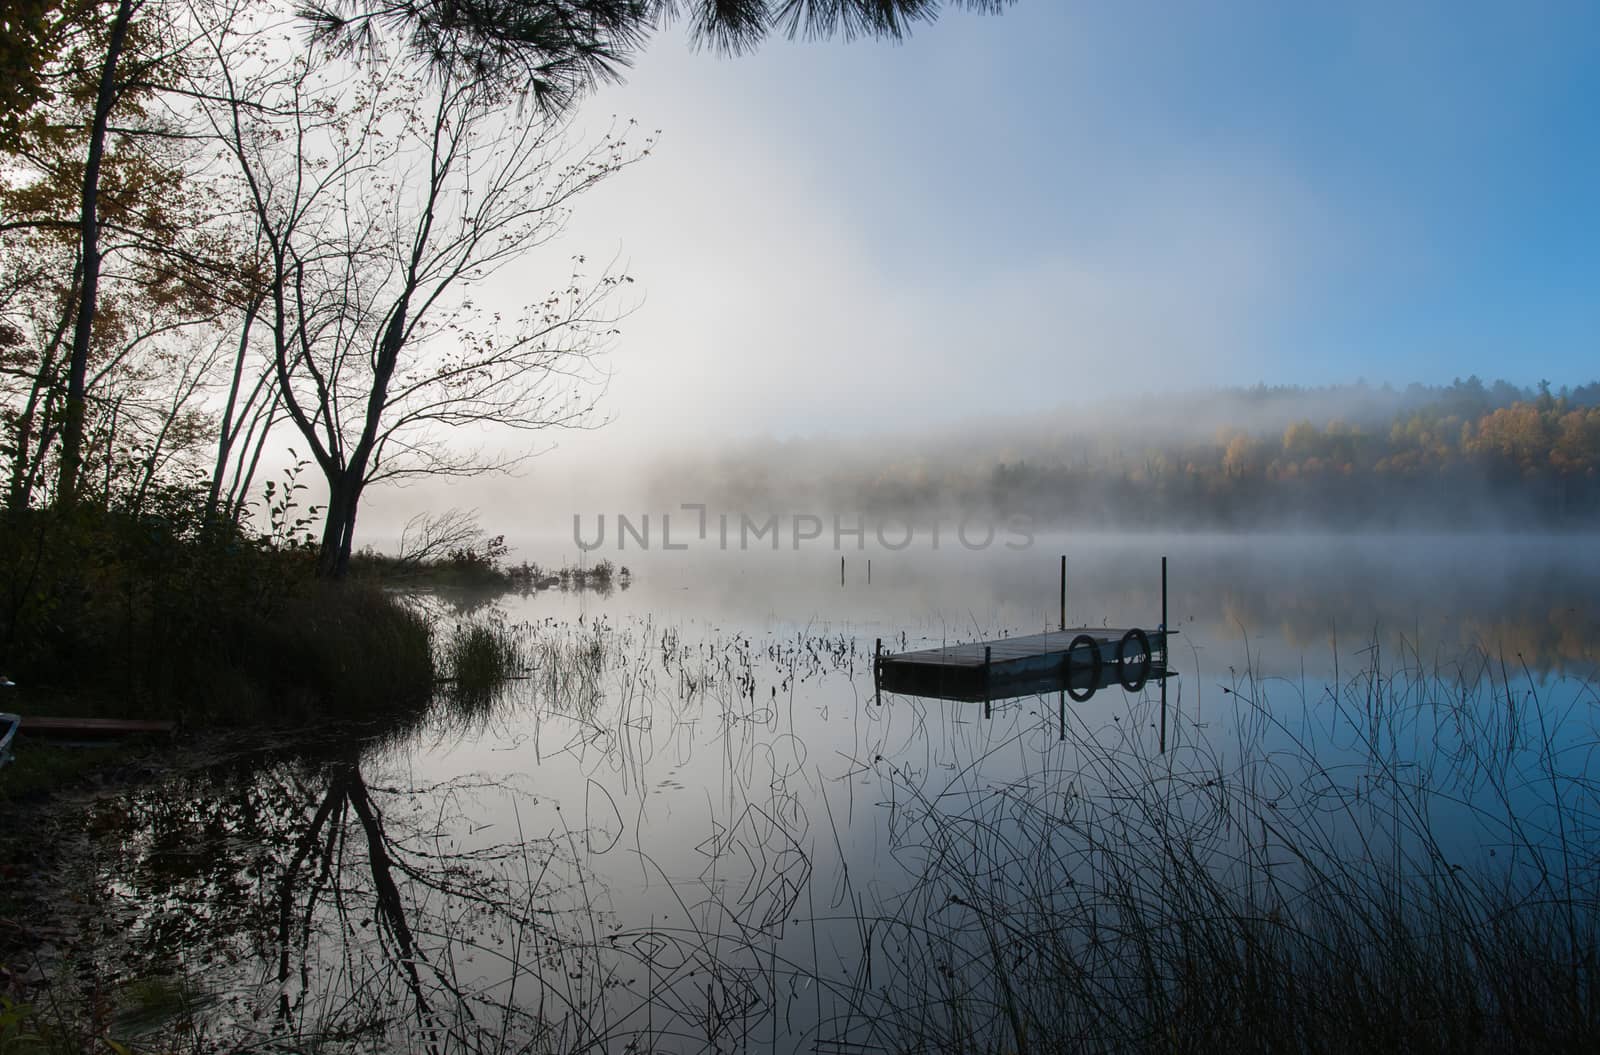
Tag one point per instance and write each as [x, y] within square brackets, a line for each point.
[1010, 214]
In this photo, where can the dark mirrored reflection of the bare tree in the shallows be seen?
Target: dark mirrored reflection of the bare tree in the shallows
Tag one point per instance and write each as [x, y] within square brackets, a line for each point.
[308, 902]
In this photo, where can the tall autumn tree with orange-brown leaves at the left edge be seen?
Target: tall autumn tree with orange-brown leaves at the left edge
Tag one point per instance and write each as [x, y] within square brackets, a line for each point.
[111, 262]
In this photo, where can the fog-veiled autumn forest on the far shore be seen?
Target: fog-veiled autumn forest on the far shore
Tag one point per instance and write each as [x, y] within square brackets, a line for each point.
[1468, 455]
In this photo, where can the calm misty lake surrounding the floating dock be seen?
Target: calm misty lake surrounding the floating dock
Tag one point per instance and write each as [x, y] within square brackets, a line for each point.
[692, 825]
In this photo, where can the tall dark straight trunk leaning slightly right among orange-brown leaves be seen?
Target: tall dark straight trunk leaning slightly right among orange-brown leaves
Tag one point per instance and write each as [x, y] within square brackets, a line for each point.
[78, 371]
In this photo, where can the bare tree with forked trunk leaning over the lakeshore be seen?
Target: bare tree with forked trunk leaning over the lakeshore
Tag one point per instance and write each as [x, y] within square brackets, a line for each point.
[385, 198]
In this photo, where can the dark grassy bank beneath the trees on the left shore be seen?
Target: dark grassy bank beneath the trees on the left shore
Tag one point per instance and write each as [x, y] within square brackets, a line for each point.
[105, 616]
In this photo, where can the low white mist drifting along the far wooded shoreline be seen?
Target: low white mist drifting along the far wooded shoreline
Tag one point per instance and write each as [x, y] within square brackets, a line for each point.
[1468, 457]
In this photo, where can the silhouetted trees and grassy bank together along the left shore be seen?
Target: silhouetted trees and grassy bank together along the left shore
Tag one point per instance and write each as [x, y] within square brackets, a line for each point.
[161, 326]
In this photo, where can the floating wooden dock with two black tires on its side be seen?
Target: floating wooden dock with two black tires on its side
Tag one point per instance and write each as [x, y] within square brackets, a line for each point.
[1036, 664]
